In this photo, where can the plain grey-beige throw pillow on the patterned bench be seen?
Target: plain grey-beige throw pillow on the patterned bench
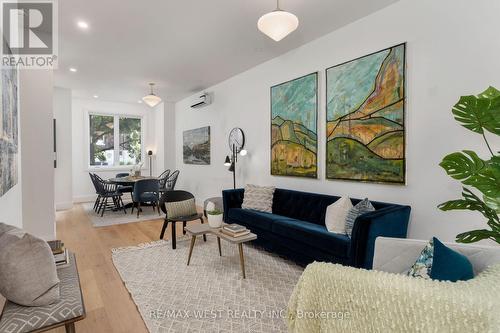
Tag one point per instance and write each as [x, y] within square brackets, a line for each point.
[28, 273]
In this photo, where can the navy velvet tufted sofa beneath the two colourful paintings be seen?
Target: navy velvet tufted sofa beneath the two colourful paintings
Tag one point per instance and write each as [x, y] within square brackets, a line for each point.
[296, 228]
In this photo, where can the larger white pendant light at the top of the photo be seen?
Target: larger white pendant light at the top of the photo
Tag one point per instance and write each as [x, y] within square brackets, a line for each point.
[278, 24]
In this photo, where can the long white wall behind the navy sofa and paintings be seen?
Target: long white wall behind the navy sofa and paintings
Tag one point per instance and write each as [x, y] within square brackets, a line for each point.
[452, 50]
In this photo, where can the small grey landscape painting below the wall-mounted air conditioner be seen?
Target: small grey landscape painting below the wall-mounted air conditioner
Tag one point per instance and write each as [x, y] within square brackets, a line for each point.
[196, 146]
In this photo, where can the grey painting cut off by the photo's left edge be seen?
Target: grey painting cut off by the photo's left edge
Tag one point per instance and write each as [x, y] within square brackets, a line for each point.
[8, 131]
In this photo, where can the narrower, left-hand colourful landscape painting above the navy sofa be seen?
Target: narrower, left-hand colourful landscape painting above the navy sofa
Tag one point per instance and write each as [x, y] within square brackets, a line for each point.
[294, 108]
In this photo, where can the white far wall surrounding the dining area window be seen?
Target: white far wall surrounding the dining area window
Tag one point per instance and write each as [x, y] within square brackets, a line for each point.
[82, 187]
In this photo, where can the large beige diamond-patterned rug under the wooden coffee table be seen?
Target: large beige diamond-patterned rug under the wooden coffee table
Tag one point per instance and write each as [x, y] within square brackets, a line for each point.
[210, 294]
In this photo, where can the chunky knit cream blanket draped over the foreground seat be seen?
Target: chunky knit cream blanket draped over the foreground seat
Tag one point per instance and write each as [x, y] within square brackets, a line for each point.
[335, 298]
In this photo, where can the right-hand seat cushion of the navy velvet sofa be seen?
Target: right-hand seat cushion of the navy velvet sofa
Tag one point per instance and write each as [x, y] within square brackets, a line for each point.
[313, 235]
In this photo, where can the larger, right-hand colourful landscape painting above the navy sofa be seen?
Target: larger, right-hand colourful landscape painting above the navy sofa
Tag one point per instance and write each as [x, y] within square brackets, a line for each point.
[365, 118]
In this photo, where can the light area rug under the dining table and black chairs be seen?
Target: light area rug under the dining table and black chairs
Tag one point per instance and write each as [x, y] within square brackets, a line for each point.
[118, 217]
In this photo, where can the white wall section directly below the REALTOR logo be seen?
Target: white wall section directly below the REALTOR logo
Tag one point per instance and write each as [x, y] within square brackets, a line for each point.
[37, 158]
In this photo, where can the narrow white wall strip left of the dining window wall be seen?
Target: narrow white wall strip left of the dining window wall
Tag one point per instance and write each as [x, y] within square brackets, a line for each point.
[63, 173]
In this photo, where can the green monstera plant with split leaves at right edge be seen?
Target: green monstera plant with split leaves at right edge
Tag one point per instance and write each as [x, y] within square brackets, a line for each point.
[479, 114]
